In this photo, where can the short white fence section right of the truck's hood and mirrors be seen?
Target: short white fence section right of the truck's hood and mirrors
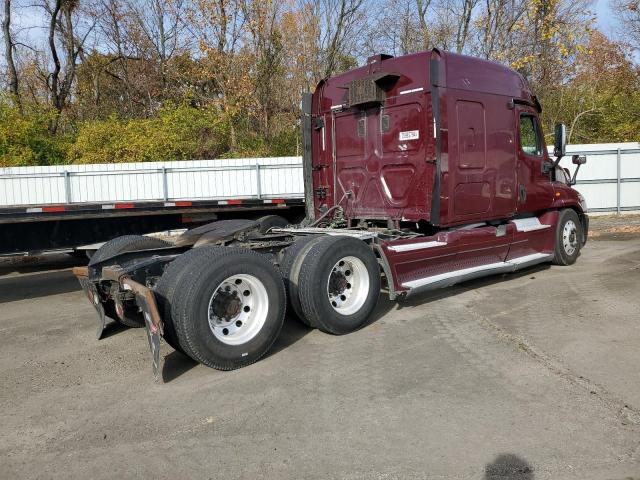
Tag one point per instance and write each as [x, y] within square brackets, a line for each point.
[610, 180]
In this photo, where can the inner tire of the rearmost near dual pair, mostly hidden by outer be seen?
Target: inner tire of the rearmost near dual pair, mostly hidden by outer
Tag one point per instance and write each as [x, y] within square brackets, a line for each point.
[164, 292]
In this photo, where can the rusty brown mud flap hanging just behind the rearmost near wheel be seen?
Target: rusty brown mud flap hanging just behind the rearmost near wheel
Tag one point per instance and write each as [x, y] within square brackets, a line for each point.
[152, 322]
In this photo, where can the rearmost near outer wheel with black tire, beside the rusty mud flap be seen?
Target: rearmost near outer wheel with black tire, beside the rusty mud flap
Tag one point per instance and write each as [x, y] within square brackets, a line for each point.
[228, 307]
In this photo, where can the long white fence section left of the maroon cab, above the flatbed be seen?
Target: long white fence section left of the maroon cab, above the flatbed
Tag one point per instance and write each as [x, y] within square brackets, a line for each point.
[178, 180]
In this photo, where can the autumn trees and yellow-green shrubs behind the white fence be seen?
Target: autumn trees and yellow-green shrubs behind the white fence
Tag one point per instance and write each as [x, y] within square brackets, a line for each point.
[144, 80]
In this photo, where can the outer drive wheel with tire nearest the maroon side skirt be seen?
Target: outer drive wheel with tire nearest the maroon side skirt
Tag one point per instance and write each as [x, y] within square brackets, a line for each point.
[339, 284]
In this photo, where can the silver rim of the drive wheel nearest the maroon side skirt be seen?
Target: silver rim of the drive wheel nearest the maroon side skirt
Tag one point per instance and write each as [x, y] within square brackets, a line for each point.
[348, 285]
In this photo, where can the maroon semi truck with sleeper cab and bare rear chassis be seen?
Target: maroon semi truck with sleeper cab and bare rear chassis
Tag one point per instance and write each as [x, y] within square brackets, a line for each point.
[420, 172]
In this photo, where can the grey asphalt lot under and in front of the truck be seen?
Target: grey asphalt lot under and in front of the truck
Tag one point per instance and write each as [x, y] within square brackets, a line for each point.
[527, 376]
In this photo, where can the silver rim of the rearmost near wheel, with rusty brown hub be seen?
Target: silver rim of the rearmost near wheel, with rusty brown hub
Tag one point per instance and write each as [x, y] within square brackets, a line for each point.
[238, 309]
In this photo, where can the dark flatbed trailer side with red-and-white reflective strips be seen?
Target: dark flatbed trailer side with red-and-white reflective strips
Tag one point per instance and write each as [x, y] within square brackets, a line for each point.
[35, 228]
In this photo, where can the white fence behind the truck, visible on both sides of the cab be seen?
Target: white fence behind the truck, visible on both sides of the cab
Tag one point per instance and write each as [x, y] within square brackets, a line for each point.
[610, 181]
